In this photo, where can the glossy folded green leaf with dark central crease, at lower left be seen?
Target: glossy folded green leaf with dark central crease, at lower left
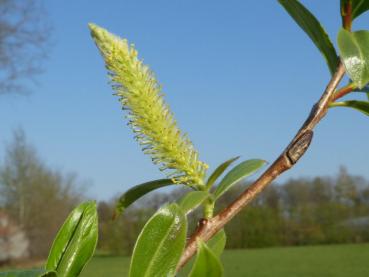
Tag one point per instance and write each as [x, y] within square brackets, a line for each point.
[75, 242]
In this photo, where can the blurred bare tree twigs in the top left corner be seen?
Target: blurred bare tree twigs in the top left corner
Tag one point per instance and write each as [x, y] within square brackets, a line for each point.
[24, 33]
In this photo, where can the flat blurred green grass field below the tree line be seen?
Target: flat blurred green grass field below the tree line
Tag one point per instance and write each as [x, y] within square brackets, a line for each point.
[310, 261]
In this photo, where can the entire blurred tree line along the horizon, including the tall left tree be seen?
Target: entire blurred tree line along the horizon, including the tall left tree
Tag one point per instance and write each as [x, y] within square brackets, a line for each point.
[301, 211]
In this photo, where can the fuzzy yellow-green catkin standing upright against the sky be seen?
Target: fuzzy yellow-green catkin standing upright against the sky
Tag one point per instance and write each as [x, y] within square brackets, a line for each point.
[149, 116]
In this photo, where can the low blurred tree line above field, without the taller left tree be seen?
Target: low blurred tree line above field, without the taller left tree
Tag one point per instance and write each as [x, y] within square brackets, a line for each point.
[302, 211]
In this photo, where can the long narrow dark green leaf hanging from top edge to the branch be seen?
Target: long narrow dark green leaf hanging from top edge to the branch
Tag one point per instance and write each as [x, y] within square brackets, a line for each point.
[307, 21]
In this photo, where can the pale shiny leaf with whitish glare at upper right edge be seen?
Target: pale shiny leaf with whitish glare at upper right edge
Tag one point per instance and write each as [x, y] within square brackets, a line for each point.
[354, 50]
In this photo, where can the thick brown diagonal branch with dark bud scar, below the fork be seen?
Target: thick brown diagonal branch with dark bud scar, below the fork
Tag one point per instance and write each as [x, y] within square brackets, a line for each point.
[294, 151]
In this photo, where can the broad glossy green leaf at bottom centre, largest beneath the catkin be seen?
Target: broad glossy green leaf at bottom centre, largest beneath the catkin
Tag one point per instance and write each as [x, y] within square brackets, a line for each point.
[160, 244]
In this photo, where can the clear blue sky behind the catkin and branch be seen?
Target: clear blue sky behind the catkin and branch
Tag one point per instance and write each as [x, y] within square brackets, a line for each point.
[240, 77]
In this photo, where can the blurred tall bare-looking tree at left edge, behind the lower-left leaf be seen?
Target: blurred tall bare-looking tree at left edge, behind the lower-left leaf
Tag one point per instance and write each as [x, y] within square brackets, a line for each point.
[36, 197]
